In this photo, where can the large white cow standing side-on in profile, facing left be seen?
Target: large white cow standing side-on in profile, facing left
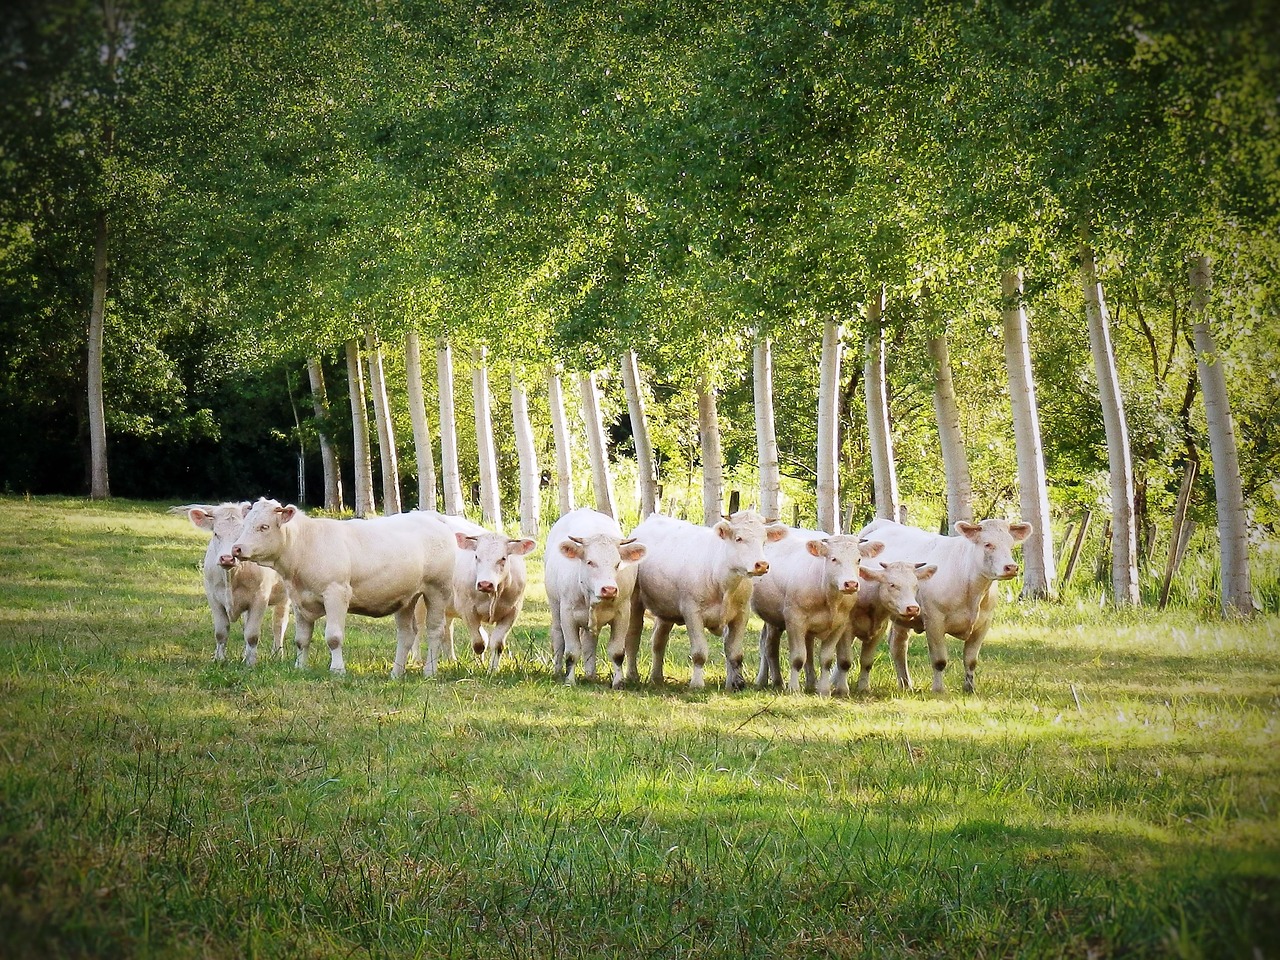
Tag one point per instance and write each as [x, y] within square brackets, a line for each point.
[374, 568]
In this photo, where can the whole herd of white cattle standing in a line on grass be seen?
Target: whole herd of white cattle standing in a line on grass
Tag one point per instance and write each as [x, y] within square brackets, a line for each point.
[429, 569]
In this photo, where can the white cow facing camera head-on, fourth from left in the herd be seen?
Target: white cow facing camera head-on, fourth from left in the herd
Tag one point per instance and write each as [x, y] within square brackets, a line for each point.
[591, 577]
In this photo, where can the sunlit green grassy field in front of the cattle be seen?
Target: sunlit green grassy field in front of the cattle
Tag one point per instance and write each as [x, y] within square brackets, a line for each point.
[1110, 792]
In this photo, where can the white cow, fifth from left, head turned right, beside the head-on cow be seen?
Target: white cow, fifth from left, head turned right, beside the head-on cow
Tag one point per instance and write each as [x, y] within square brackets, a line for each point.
[702, 578]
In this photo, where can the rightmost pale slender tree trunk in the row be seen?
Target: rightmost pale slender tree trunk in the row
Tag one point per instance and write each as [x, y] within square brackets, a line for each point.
[1233, 533]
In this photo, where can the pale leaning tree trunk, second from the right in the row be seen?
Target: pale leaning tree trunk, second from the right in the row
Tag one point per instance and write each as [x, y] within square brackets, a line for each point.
[1124, 546]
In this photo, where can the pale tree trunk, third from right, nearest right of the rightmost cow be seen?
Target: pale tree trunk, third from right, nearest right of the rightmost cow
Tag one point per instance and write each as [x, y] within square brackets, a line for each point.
[1039, 566]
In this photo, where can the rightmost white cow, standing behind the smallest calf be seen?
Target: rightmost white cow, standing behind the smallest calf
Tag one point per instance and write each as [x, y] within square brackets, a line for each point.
[961, 598]
